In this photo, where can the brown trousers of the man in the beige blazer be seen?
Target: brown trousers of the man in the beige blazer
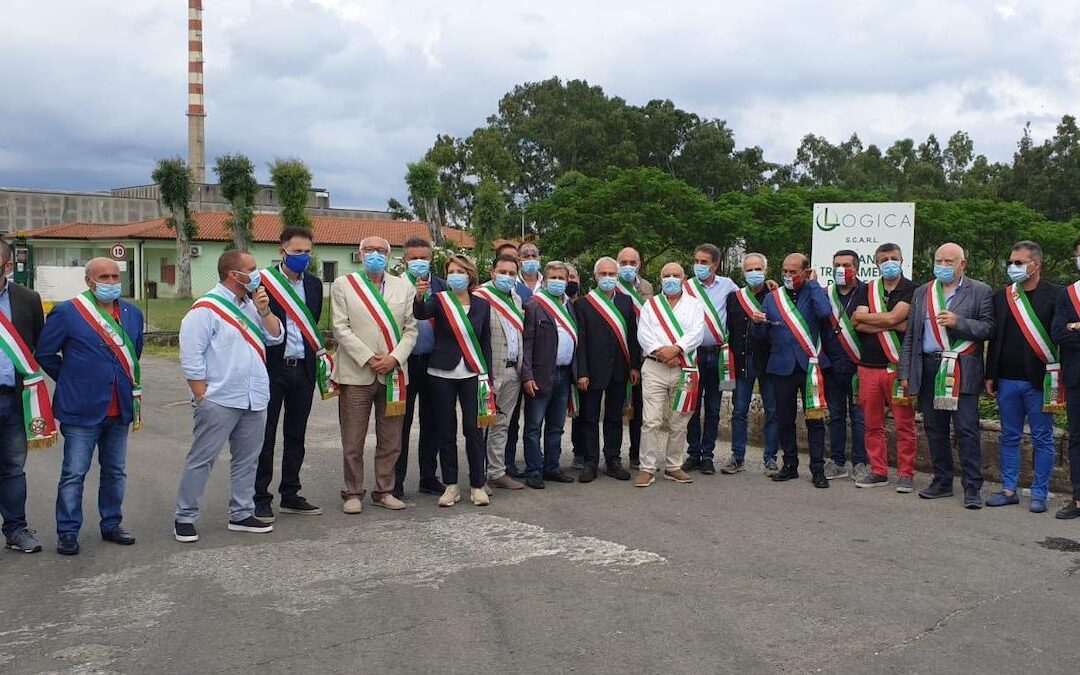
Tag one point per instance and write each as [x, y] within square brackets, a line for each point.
[355, 412]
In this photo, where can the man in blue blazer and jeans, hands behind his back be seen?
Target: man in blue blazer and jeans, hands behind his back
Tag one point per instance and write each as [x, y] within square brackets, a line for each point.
[91, 346]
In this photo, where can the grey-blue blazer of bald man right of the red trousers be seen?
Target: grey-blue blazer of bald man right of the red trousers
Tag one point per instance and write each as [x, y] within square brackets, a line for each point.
[974, 305]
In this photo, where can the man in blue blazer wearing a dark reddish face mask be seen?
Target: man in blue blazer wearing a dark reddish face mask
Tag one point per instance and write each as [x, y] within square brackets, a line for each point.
[793, 319]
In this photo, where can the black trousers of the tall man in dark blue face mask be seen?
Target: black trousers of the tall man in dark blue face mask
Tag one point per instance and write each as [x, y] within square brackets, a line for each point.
[292, 388]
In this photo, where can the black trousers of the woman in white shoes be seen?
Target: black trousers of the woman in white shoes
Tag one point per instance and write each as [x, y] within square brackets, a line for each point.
[447, 394]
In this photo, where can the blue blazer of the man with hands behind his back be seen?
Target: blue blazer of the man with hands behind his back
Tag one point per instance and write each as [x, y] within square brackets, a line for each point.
[88, 371]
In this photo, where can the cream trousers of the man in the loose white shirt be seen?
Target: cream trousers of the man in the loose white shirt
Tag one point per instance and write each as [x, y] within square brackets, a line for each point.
[659, 452]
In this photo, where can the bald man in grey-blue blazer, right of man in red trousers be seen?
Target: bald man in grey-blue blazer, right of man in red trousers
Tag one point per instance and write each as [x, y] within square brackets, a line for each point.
[942, 364]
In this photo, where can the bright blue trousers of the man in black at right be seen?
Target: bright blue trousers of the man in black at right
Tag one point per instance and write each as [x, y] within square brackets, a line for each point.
[1017, 400]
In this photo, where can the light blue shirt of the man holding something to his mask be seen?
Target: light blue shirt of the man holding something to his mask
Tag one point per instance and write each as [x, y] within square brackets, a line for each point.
[215, 352]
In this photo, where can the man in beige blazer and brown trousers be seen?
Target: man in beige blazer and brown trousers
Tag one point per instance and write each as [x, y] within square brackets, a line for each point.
[364, 364]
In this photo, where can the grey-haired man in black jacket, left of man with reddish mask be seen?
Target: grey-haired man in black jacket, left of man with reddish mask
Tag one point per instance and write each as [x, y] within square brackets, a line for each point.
[751, 358]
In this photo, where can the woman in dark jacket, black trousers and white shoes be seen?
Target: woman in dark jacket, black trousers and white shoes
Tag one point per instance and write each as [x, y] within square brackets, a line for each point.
[461, 374]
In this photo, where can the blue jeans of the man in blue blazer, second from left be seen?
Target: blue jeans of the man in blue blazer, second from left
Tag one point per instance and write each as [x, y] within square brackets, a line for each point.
[111, 437]
